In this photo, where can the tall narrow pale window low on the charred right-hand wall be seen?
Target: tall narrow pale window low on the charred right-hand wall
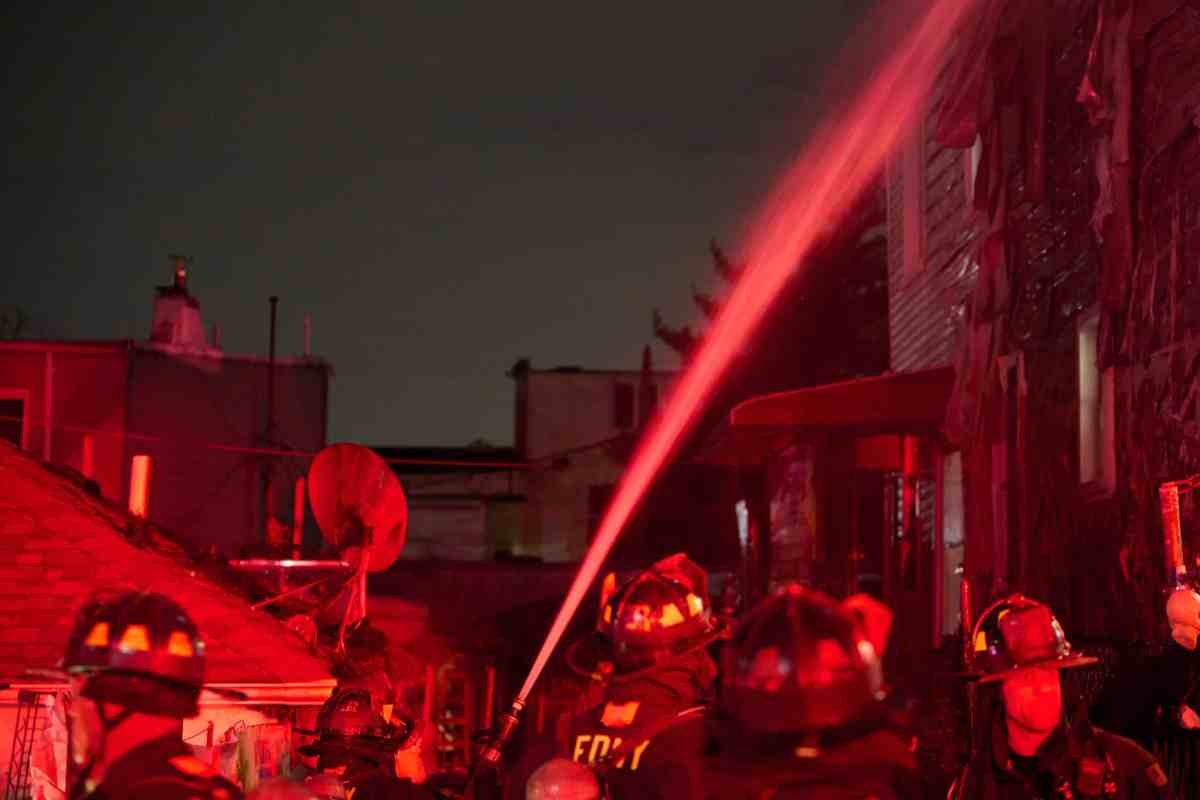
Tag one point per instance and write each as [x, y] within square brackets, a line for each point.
[1097, 450]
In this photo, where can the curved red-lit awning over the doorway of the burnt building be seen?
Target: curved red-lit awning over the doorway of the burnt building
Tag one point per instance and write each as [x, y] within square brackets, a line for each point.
[898, 402]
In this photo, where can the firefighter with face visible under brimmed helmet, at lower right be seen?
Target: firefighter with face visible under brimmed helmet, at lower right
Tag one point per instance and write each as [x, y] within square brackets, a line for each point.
[1027, 745]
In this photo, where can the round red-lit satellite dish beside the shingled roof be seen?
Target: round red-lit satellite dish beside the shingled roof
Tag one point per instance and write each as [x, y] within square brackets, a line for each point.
[359, 506]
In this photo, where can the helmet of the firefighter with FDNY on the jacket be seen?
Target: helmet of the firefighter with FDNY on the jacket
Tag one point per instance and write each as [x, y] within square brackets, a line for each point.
[661, 616]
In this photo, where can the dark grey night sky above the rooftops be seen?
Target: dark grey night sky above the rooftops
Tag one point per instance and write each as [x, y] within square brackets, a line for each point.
[446, 188]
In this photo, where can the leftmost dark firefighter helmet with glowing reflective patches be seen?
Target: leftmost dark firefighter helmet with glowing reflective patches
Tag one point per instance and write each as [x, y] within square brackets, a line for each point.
[141, 651]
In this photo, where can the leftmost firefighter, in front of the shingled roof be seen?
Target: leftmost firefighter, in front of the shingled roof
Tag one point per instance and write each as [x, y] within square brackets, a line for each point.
[136, 667]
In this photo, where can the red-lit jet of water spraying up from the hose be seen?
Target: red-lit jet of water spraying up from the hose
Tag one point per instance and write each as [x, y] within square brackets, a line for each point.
[835, 169]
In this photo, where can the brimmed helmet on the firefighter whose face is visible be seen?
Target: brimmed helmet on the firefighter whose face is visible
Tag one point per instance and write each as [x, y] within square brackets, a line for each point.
[1017, 634]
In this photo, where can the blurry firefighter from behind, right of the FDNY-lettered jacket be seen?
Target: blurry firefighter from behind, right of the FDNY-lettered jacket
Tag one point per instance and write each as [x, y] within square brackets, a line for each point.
[803, 709]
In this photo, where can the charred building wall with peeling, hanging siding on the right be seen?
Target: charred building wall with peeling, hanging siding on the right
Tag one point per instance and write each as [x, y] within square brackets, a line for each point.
[1057, 215]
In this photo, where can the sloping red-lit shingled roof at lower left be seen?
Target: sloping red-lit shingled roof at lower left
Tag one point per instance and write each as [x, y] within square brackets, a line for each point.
[58, 544]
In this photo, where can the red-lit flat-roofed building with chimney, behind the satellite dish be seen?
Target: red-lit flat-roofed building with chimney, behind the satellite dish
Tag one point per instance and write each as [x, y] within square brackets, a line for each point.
[219, 464]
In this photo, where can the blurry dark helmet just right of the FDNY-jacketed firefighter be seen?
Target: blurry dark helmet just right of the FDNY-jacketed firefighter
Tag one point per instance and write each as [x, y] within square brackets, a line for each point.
[800, 664]
